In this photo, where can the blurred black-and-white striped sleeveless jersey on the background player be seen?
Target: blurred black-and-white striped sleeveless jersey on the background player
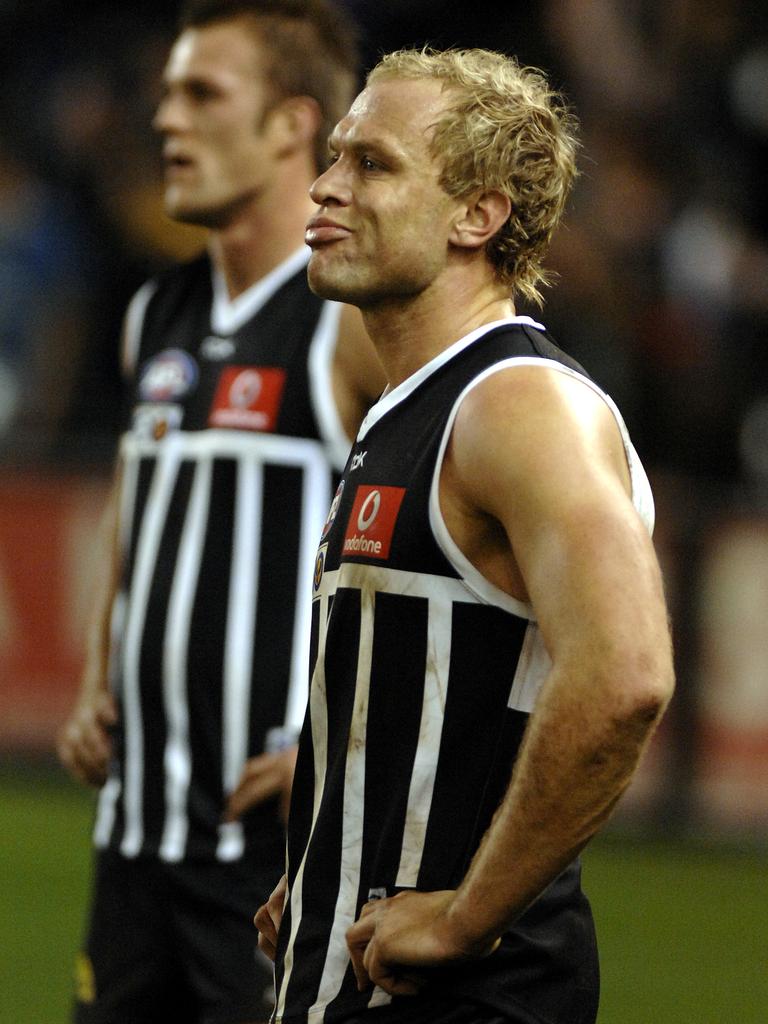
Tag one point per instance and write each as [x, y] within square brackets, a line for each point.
[227, 475]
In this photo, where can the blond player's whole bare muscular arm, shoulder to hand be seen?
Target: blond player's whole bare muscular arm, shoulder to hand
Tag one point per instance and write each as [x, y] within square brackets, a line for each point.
[535, 491]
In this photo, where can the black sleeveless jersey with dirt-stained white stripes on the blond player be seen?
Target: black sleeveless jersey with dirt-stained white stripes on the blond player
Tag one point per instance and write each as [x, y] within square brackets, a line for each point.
[424, 675]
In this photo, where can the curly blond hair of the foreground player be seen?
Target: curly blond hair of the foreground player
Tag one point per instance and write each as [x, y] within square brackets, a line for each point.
[505, 131]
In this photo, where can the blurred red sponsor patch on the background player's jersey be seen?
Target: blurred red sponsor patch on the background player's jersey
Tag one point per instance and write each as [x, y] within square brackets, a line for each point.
[248, 399]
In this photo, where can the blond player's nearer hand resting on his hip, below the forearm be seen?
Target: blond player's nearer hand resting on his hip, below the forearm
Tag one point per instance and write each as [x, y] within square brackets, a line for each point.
[409, 931]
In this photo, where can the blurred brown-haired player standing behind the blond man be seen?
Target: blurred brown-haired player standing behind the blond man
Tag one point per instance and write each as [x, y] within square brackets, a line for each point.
[245, 391]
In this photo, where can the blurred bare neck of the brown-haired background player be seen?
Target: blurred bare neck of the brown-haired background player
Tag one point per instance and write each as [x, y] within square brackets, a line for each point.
[262, 236]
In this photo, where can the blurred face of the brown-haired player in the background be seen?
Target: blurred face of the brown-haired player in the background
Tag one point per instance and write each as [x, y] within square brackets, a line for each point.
[217, 151]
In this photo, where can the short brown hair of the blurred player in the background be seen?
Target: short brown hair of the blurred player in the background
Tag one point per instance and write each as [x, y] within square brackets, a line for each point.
[312, 48]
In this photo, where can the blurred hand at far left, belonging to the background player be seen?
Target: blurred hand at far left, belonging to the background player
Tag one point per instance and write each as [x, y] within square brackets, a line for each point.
[84, 745]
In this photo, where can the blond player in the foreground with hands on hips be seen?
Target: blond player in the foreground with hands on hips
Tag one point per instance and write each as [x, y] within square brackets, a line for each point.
[488, 601]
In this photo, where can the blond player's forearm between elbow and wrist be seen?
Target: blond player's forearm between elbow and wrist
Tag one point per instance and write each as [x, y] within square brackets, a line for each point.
[578, 757]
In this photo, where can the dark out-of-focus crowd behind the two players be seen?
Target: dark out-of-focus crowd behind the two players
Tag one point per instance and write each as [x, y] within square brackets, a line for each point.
[663, 262]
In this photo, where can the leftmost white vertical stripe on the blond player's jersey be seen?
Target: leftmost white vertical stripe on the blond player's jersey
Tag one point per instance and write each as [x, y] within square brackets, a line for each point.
[319, 710]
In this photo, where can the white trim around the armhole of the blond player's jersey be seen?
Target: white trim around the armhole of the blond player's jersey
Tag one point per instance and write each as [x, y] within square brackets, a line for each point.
[643, 498]
